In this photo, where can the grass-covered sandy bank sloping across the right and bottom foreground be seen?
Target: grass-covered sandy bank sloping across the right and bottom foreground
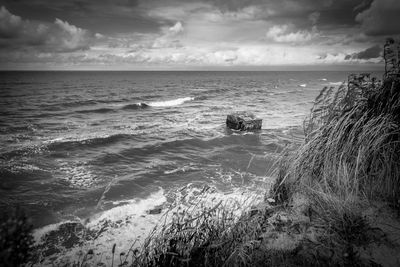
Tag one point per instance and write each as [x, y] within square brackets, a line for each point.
[335, 200]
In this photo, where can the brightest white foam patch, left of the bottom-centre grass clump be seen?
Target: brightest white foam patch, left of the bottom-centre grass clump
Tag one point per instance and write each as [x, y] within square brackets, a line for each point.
[122, 225]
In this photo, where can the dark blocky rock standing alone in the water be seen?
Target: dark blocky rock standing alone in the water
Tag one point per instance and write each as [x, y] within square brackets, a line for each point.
[243, 121]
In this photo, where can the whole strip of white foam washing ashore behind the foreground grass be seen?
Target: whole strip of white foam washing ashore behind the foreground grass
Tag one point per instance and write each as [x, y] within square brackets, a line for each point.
[130, 224]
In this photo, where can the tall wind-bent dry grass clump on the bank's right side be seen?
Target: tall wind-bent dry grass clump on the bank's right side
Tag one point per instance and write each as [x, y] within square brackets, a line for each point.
[351, 156]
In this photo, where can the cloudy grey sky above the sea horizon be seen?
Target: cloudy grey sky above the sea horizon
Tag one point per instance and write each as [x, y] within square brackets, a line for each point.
[195, 34]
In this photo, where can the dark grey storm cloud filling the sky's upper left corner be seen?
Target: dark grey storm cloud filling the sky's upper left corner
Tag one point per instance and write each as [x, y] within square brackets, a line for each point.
[103, 16]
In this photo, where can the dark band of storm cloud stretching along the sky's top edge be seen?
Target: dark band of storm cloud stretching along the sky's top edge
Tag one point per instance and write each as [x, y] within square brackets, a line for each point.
[126, 15]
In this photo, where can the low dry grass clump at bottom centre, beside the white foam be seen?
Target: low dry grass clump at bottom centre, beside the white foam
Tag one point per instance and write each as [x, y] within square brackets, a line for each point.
[201, 235]
